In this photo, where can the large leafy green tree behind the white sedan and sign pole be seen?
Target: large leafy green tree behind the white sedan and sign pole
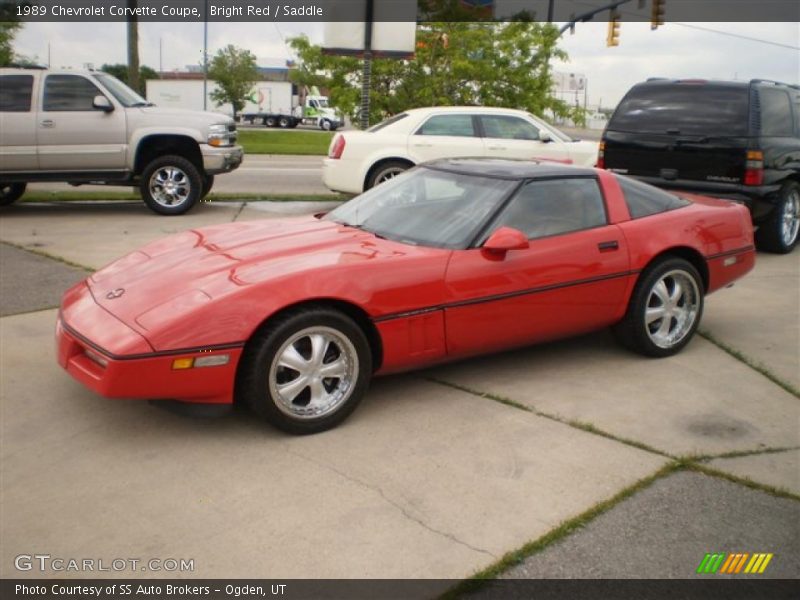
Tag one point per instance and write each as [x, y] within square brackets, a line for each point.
[456, 63]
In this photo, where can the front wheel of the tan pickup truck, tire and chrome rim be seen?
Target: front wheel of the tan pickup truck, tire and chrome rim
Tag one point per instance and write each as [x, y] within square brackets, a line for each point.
[171, 185]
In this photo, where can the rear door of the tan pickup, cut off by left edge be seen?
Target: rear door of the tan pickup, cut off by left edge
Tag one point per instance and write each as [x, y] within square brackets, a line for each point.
[17, 123]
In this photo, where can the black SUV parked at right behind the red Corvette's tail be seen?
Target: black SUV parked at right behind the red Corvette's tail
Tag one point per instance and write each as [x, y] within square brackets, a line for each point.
[734, 140]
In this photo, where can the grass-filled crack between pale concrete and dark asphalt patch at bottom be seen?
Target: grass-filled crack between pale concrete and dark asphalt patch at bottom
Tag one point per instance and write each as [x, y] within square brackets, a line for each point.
[565, 528]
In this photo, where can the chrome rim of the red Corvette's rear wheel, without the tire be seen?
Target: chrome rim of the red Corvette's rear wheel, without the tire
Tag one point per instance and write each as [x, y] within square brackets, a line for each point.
[672, 308]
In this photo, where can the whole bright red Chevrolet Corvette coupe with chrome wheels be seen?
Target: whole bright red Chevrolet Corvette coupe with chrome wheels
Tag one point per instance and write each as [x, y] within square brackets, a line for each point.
[451, 259]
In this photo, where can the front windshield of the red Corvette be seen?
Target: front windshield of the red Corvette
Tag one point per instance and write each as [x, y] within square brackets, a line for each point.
[426, 207]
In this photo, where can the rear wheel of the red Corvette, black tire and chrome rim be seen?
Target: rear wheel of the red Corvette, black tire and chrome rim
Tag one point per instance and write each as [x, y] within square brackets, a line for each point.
[664, 310]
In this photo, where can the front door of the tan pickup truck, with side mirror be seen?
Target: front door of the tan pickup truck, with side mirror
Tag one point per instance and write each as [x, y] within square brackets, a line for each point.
[72, 135]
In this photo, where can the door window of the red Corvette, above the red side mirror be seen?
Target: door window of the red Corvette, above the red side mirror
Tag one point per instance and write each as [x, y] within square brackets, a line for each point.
[555, 206]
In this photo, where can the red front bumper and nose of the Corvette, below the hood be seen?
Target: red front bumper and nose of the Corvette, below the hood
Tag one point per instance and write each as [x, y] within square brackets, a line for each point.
[139, 372]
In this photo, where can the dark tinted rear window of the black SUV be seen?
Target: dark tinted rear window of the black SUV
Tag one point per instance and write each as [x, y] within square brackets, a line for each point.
[684, 109]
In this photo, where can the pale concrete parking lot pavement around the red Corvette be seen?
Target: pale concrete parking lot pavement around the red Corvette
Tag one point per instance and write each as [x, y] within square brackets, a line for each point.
[438, 475]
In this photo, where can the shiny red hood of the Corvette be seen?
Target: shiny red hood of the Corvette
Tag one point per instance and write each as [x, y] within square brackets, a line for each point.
[172, 277]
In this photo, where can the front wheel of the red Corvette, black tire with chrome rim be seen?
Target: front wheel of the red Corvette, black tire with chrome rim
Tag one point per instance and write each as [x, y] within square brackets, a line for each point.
[306, 371]
